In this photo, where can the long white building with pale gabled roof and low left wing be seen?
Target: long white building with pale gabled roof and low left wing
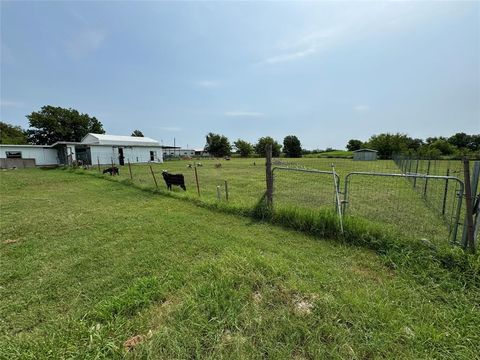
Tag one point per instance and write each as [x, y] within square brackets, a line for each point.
[93, 149]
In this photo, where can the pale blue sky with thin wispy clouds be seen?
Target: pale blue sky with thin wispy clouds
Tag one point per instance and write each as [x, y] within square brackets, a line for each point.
[326, 72]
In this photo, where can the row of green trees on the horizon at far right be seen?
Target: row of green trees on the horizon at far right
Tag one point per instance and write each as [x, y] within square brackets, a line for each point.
[459, 144]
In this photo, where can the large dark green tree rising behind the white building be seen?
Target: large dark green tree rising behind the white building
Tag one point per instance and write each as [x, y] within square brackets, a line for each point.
[53, 124]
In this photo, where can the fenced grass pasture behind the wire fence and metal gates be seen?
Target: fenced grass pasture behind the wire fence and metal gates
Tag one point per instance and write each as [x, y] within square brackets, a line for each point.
[418, 207]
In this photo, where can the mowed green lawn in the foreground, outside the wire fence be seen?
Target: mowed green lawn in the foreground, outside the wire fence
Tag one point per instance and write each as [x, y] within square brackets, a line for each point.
[87, 264]
